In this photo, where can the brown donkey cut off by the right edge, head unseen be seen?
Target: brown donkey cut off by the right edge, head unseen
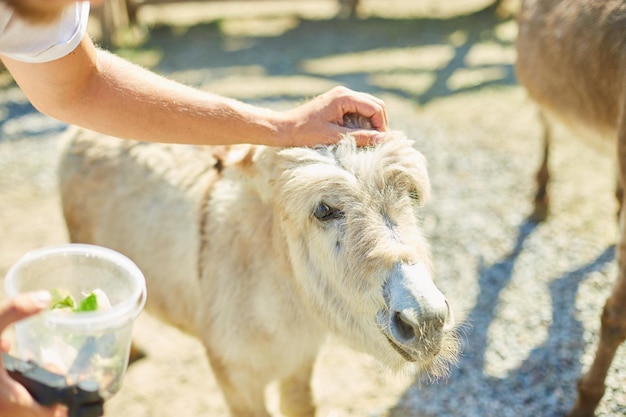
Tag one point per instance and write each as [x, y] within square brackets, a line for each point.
[572, 62]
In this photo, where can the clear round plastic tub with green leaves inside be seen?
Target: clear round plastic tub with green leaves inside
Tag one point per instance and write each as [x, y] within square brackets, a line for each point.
[82, 346]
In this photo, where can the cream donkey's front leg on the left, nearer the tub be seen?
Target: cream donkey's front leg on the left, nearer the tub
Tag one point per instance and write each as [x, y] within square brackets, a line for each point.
[243, 390]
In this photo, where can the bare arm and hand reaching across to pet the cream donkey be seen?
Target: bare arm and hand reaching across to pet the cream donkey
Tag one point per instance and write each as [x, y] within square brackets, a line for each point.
[100, 91]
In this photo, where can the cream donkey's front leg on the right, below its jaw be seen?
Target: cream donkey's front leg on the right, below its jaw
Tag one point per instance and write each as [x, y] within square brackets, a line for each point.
[296, 399]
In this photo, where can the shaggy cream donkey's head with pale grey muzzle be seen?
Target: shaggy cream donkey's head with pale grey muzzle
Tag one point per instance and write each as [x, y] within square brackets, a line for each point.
[348, 219]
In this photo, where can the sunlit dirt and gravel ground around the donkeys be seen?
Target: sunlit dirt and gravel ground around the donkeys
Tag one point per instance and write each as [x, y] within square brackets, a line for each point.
[530, 295]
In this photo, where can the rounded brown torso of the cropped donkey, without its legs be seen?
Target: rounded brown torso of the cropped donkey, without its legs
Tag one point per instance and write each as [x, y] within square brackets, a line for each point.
[572, 61]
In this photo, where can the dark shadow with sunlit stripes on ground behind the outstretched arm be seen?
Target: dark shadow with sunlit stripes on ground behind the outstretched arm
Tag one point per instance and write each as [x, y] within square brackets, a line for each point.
[419, 59]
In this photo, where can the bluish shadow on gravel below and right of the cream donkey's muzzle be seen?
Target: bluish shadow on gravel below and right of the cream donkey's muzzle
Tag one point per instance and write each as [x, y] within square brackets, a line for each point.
[542, 383]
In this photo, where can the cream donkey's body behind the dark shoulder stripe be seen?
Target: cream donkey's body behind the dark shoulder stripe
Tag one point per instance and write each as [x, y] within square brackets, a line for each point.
[142, 200]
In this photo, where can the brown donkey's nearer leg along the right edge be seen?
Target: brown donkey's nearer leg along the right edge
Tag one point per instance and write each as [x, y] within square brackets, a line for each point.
[613, 330]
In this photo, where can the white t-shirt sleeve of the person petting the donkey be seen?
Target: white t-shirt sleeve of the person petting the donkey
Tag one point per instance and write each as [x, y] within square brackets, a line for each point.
[26, 42]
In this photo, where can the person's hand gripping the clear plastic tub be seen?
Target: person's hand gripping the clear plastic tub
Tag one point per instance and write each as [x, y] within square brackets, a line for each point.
[15, 400]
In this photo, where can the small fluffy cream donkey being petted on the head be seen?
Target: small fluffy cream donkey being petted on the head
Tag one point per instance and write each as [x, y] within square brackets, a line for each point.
[263, 252]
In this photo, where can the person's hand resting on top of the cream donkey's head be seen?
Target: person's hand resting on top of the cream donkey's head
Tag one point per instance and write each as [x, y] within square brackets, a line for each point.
[321, 120]
